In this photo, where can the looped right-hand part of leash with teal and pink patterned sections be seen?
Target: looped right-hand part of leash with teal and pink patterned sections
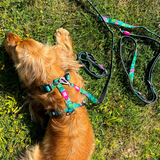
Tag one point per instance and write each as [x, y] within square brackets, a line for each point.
[132, 68]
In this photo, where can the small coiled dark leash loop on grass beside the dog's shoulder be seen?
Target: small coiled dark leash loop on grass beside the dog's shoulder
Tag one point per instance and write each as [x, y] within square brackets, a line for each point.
[87, 59]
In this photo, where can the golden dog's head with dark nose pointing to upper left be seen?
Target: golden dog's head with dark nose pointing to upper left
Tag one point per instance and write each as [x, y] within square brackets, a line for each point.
[32, 59]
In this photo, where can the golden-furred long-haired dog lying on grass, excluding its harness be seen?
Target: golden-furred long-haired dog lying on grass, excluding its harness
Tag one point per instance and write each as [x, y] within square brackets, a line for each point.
[68, 137]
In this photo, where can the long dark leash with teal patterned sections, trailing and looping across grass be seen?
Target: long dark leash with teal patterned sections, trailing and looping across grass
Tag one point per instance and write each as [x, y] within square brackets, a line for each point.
[128, 35]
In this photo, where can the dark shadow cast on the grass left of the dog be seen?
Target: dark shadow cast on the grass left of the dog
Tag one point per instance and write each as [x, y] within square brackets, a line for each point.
[11, 86]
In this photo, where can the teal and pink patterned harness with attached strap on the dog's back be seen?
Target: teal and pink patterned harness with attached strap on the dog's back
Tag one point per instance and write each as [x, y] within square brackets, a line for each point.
[70, 107]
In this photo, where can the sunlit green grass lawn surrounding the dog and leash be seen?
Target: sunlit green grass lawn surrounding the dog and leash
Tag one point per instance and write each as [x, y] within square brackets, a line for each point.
[124, 127]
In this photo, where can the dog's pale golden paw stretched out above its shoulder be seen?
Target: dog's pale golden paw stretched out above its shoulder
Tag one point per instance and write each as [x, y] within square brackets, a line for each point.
[63, 40]
